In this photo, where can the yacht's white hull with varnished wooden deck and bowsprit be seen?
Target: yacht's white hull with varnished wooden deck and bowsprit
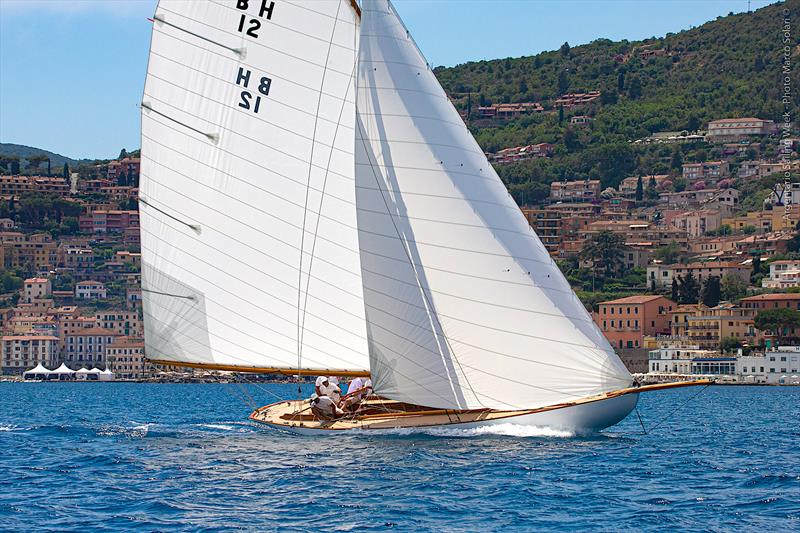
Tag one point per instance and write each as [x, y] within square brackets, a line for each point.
[582, 416]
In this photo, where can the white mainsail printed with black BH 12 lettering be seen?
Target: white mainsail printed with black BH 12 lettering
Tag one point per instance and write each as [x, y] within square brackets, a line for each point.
[249, 231]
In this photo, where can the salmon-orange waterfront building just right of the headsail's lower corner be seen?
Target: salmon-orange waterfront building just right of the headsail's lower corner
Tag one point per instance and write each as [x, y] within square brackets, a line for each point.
[626, 321]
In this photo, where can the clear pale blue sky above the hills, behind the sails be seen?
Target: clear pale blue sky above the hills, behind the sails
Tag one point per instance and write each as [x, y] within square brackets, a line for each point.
[72, 71]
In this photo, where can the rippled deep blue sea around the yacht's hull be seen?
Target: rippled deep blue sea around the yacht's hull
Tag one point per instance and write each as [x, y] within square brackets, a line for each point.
[157, 457]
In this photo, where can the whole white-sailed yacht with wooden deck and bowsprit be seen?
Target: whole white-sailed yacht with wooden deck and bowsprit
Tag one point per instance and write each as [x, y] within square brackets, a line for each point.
[312, 203]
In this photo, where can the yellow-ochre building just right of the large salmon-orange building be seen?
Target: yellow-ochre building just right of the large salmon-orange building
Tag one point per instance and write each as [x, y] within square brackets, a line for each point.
[708, 327]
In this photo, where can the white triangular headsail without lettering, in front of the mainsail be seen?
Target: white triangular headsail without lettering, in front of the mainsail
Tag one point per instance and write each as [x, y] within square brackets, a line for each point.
[465, 308]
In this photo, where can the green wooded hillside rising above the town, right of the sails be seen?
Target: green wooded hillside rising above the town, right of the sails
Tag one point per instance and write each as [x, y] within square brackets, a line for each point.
[725, 68]
